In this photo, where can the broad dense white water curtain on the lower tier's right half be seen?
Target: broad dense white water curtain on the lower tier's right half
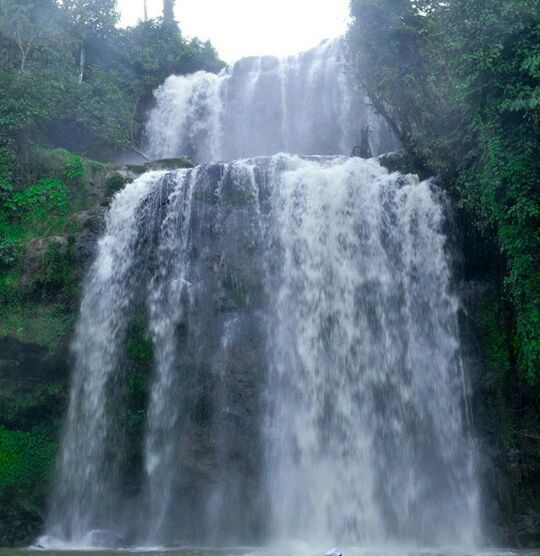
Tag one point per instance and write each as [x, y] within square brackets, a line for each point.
[365, 433]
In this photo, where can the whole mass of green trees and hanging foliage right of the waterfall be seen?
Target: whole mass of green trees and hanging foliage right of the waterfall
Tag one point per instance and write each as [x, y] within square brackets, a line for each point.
[459, 82]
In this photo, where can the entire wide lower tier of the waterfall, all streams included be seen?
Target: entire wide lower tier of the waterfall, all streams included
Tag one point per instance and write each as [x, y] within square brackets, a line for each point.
[306, 379]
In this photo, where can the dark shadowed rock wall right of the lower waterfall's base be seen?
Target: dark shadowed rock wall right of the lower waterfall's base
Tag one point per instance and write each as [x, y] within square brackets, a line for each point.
[506, 422]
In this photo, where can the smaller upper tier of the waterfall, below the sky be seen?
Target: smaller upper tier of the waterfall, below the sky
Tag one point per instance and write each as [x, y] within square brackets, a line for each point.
[303, 104]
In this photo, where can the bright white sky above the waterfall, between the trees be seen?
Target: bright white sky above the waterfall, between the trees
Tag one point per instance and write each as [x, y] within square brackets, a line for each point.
[240, 28]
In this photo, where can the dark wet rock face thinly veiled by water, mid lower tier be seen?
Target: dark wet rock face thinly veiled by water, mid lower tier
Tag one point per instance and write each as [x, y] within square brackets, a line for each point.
[224, 360]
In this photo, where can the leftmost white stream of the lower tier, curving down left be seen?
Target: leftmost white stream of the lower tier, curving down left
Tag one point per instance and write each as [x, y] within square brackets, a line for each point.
[89, 463]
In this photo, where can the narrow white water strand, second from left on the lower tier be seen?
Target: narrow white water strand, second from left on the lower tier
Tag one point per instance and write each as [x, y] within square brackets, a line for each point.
[165, 313]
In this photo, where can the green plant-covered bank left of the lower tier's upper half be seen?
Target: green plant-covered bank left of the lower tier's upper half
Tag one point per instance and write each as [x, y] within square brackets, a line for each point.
[35, 267]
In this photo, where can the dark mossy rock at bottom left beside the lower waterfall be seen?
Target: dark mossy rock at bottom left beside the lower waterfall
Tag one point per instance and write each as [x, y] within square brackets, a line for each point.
[33, 397]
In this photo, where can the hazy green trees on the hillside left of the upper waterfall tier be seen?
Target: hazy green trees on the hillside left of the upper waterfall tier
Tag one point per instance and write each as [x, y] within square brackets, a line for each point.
[100, 110]
